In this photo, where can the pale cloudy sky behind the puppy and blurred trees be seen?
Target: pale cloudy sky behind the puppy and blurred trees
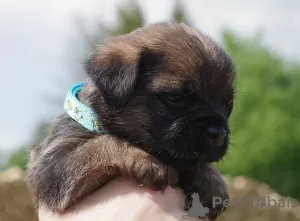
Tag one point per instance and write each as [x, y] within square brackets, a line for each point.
[37, 37]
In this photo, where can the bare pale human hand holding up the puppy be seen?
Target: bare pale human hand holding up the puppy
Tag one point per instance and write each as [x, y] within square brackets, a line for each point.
[127, 201]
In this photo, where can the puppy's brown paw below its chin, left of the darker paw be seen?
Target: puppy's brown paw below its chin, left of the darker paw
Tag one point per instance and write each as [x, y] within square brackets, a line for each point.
[151, 172]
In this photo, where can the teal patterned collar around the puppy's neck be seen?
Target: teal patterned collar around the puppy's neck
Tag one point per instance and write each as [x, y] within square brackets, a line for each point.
[80, 112]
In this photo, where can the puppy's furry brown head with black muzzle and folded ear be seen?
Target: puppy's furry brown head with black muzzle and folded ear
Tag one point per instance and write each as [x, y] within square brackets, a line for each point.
[167, 88]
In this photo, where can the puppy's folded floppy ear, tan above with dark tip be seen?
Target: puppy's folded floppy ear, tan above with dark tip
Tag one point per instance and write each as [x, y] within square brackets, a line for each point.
[117, 71]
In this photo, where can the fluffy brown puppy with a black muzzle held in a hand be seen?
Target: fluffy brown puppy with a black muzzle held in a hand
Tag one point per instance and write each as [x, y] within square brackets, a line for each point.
[164, 94]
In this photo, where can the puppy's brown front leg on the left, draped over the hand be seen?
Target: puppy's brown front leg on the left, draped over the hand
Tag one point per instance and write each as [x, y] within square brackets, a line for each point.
[62, 171]
